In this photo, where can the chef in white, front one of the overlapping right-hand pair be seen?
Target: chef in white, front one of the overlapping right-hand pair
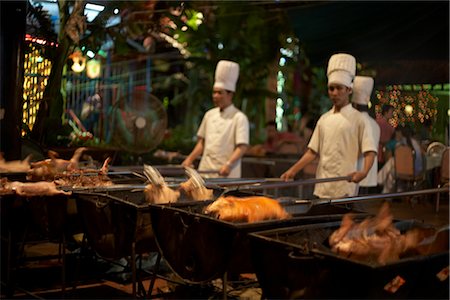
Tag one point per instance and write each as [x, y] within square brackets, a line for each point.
[339, 137]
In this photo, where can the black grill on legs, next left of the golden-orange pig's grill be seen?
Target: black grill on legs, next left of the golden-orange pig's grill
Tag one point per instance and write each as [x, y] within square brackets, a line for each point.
[117, 223]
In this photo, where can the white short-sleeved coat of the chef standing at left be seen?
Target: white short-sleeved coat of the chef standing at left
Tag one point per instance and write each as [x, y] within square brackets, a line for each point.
[223, 131]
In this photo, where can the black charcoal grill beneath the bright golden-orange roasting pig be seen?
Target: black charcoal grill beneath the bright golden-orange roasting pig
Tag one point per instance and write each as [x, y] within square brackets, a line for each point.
[200, 248]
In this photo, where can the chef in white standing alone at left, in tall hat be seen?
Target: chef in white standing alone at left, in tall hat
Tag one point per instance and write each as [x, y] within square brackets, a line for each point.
[223, 135]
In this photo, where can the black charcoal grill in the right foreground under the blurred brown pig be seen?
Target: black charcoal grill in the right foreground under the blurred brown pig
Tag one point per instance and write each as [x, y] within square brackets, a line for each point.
[297, 262]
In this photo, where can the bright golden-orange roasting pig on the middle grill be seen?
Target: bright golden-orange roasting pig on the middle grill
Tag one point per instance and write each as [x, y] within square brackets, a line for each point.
[246, 209]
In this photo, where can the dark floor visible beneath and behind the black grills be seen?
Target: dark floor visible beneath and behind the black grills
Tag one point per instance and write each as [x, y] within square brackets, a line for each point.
[42, 279]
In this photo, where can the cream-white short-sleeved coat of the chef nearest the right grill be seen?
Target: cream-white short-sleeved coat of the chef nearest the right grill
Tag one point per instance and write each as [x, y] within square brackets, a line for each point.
[339, 138]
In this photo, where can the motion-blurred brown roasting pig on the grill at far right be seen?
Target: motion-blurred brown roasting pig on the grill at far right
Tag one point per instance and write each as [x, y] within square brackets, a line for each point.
[374, 239]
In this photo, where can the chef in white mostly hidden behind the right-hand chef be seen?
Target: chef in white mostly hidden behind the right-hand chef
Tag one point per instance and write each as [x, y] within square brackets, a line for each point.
[362, 89]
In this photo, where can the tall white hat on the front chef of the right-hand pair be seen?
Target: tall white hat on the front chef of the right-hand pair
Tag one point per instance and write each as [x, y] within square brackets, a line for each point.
[341, 69]
